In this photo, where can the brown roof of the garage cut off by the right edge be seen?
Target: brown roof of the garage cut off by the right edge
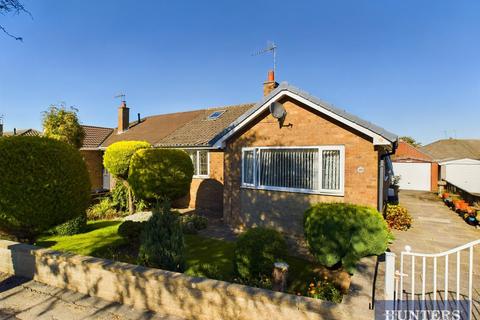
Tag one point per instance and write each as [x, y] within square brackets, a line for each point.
[451, 149]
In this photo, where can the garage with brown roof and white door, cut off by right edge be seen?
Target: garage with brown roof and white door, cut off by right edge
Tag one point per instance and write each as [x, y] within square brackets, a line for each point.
[459, 162]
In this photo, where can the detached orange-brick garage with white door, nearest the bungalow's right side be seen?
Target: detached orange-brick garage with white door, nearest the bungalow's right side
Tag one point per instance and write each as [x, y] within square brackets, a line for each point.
[417, 170]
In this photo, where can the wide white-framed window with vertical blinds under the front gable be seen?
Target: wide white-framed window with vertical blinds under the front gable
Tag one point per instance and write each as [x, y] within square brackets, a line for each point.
[318, 169]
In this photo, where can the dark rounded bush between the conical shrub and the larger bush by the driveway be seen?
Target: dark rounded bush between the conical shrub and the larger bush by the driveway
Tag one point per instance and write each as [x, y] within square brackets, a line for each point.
[256, 251]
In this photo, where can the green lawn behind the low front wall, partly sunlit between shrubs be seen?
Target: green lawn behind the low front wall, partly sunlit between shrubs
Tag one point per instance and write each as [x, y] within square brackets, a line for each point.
[101, 240]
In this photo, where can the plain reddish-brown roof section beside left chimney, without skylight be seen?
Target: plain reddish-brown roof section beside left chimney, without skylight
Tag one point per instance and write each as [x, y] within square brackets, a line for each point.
[154, 128]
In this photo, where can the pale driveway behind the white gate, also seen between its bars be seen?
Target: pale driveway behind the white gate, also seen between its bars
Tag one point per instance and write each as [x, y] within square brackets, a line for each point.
[435, 229]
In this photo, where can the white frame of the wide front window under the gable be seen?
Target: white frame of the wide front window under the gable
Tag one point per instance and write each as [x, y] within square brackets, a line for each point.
[319, 190]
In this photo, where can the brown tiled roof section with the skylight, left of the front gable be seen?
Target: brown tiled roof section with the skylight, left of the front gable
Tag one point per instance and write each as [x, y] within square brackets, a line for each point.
[200, 131]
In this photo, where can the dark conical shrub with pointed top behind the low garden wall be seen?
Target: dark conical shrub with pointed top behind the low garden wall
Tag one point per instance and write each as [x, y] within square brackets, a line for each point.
[162, 243]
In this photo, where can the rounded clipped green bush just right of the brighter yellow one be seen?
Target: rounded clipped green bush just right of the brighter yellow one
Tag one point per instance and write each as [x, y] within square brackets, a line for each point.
[160, 173]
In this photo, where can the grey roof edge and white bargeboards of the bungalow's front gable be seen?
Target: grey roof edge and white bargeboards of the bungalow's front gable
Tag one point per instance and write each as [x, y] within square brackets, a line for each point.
[284, 86]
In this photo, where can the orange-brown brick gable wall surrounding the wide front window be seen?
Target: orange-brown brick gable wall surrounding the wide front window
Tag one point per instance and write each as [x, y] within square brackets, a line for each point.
[302, 127]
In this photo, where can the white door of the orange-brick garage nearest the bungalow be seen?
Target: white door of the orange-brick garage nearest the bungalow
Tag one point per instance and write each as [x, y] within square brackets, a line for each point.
[413, 176]
